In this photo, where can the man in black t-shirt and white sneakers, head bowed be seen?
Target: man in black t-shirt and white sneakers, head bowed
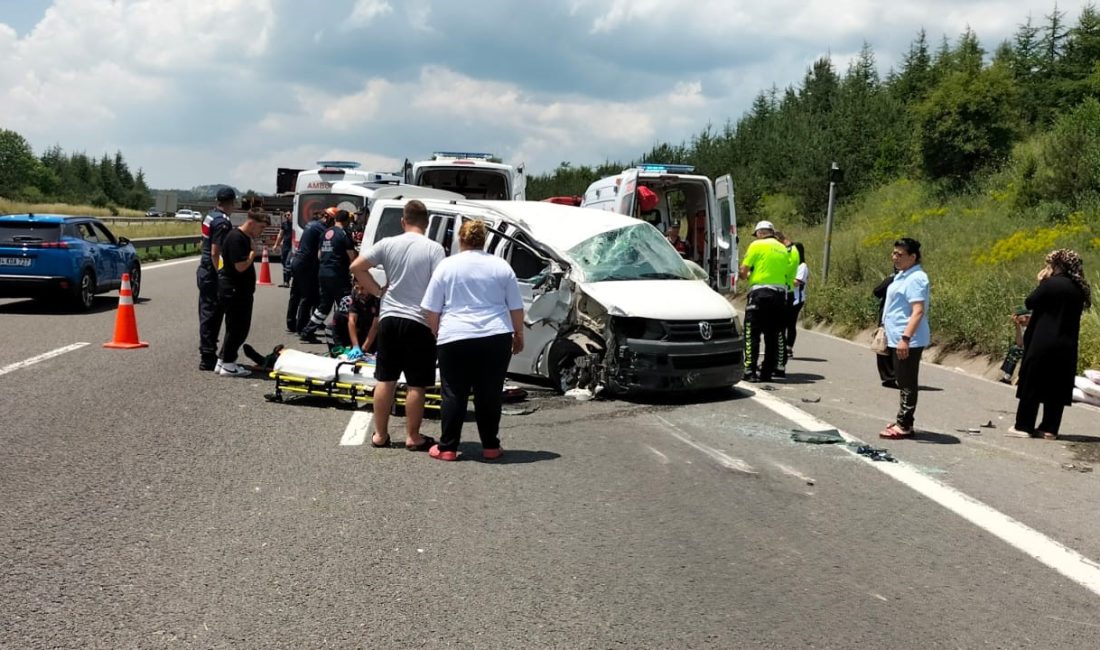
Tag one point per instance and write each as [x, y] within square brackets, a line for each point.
[237, 283]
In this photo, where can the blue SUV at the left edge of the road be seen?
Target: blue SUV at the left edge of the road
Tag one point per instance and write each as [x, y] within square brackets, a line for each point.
[75, 258]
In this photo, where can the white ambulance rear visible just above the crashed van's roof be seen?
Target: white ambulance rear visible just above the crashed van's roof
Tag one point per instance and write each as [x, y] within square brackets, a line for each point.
[472, 175]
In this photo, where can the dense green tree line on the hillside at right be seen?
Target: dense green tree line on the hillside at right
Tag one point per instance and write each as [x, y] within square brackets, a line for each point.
[952, 114]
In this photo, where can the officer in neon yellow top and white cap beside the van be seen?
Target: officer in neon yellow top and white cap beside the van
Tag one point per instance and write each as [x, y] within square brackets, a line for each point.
[767, 268]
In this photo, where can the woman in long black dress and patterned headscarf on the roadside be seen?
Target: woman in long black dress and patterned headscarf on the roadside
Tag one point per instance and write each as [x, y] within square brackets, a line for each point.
[1050, 363]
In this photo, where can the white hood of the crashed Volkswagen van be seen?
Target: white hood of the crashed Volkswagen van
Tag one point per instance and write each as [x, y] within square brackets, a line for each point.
[663, 300]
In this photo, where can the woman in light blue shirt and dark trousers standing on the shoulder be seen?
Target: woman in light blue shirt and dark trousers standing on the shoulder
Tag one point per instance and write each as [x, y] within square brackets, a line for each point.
[906, 321]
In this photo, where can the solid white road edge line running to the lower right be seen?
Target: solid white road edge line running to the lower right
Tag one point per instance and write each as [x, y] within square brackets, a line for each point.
[1054, 555]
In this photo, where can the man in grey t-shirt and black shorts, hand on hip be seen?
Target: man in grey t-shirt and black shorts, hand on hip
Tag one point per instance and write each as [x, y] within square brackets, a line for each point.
[406, 345]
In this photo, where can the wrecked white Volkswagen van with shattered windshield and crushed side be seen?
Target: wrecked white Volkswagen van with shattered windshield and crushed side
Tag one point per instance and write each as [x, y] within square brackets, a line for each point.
[610, 304]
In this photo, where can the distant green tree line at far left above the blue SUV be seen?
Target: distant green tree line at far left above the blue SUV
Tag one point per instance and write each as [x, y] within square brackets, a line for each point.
[58, 177]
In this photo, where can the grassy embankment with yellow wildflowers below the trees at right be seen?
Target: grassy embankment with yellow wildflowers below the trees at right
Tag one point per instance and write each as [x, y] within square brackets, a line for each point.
[982, 256]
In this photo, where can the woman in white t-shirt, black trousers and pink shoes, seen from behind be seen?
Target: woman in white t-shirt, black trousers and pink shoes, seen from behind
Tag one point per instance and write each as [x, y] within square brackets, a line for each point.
[475, 309]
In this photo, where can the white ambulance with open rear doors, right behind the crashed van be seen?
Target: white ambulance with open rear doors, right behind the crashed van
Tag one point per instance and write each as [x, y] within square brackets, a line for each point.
[673, 196]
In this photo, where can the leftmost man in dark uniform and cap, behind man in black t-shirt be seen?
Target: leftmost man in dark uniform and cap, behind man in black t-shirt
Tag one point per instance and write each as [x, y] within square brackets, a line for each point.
[215, 228]
